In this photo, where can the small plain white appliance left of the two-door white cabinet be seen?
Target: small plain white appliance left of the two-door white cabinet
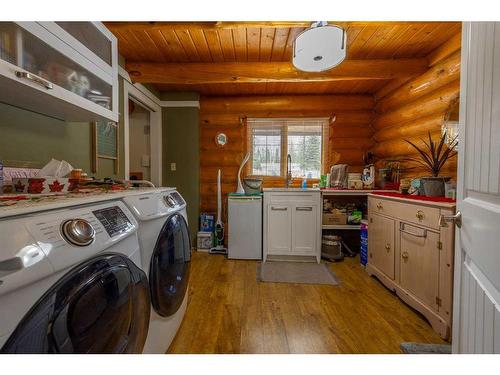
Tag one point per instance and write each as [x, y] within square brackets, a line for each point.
[245, 227]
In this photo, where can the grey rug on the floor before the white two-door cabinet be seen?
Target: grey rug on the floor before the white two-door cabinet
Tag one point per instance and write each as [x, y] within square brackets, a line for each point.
[296, 273]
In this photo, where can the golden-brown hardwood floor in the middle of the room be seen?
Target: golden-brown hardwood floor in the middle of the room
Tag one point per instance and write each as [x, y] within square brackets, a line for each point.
[229, 311]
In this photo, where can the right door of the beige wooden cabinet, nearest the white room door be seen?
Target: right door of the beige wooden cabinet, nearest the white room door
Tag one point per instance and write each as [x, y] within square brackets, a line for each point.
[420, 263]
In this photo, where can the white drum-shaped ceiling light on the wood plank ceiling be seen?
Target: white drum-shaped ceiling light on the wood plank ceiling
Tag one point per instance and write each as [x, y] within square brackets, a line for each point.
[319, 48]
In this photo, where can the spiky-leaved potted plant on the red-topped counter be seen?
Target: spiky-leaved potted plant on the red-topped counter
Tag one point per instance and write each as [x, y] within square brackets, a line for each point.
[433, 157]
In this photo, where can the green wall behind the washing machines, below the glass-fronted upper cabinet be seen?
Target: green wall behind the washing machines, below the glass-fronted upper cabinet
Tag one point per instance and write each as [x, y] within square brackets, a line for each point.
[28, 139]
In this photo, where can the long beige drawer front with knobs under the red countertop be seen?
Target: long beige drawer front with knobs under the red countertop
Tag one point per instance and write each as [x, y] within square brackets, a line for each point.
[413, 213]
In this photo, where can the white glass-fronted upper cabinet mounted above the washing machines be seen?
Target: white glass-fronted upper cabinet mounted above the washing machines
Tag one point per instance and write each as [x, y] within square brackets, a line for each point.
[66, 70]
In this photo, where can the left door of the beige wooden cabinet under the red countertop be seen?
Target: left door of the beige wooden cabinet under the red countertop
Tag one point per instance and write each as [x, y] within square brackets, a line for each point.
[381, 244]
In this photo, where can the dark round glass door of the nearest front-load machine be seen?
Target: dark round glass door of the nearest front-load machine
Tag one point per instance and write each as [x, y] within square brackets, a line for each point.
[100, 306]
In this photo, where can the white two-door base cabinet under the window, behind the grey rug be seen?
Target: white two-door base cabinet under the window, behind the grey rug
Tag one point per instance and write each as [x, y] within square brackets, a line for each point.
[292, 225]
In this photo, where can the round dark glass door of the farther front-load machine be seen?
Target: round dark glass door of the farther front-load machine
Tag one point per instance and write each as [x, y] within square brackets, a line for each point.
[169, 267]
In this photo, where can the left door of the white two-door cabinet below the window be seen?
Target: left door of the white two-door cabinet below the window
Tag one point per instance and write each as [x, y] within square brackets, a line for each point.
[279, 225]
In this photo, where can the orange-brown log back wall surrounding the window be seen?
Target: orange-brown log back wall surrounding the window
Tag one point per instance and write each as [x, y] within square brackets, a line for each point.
[350, 134]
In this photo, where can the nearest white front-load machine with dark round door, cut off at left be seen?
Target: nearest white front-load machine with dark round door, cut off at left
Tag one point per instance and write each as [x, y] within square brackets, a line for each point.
[71, 282]
